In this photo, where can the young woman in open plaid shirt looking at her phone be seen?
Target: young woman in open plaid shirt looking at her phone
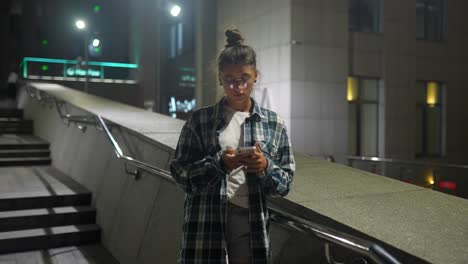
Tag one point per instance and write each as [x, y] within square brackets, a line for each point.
[230, 156]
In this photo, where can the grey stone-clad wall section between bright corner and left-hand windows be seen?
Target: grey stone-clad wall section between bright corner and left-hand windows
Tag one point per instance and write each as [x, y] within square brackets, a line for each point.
[319, 66]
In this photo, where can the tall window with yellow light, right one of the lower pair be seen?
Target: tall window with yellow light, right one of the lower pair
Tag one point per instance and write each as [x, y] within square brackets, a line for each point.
[429, 119]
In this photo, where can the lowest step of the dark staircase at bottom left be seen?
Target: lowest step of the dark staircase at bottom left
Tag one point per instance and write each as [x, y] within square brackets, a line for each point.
[50, 237]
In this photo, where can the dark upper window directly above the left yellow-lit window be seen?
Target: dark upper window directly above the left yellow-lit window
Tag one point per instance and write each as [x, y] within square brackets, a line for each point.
[364, 15]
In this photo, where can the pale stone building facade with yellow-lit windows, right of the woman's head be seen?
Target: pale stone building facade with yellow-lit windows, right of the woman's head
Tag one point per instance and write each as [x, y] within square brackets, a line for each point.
[362, 77]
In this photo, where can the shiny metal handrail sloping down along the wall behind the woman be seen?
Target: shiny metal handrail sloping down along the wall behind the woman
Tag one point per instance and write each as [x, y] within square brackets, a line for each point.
[363, 247]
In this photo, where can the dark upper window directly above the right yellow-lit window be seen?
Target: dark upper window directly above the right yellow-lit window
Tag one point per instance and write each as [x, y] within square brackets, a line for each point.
[430, 19]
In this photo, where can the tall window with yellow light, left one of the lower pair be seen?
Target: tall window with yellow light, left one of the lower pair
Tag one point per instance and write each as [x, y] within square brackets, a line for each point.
[363, 98]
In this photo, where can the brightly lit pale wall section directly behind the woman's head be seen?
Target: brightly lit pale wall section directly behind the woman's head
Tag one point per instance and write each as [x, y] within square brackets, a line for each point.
[266, 26]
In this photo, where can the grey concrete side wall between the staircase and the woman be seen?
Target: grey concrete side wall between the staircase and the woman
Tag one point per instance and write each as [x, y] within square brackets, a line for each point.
[141, 220]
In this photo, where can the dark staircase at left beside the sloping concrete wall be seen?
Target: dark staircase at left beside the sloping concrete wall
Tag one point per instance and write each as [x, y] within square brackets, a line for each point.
[40, 207]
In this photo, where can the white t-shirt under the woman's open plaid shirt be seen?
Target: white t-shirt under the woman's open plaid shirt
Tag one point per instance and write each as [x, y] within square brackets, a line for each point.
[233, 136]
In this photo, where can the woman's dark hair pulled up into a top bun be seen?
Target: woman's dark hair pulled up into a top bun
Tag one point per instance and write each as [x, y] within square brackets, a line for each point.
[235, 52]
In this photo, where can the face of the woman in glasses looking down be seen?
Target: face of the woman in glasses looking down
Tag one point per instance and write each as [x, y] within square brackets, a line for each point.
[238, 82]
